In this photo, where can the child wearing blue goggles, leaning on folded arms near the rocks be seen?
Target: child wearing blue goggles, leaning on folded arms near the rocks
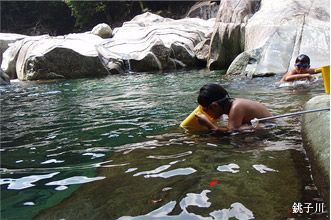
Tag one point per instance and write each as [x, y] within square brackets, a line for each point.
[302, 70]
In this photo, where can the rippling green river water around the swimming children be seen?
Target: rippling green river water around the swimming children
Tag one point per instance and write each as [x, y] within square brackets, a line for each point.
[110, 148]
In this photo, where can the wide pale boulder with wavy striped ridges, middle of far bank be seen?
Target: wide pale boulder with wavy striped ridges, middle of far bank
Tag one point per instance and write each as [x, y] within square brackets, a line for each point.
[151, 42]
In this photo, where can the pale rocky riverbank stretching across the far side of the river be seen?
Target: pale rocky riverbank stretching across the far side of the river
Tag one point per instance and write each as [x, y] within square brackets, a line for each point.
[250, 38]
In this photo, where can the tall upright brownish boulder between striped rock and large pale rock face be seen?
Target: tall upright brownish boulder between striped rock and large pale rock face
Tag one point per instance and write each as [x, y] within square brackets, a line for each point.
[227, 40]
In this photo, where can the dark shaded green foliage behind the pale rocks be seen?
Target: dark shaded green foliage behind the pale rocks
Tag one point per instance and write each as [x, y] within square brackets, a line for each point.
[67, 16]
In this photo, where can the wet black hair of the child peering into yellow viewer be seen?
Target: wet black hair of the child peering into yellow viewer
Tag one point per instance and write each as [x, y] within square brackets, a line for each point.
[212, 92]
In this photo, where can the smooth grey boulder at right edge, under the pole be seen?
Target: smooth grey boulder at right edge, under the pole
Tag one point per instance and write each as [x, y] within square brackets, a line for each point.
[316, 138]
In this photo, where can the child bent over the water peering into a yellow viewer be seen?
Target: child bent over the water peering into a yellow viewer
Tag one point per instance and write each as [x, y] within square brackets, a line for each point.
[215, 101]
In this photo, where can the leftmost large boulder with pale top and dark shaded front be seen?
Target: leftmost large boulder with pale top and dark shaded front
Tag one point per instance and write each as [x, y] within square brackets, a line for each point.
[45, 57]
